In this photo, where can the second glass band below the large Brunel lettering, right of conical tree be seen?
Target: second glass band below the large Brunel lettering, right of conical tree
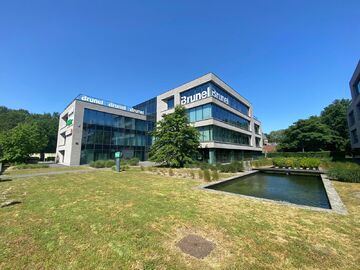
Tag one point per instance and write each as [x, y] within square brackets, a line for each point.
[222, 135]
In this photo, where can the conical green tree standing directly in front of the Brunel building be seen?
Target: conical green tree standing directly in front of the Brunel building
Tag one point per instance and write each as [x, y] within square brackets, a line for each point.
[175, 140]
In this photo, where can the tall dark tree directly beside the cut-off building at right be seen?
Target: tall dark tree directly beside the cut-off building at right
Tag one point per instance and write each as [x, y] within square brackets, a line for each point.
[335, 117]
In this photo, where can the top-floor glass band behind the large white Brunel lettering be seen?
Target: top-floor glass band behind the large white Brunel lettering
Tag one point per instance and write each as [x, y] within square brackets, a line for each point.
[194, 95]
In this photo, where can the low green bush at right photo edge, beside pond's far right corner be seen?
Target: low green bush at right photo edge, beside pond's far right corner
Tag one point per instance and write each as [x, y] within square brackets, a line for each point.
[344, 171]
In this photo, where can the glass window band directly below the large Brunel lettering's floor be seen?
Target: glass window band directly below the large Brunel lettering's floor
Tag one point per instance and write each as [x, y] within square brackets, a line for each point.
[214, 111]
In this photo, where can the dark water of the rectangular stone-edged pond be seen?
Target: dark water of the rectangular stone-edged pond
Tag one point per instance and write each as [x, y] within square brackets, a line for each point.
[298, 189]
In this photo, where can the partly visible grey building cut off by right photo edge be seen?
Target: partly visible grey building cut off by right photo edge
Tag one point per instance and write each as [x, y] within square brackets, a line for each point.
[354, 109]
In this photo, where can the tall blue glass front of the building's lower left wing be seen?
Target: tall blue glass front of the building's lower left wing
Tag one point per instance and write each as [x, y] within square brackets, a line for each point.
[105, 133]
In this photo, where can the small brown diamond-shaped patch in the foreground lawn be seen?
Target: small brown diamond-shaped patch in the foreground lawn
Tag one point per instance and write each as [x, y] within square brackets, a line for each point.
[195, 246]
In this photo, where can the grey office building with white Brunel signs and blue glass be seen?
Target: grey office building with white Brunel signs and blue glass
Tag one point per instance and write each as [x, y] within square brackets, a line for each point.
[92, 129]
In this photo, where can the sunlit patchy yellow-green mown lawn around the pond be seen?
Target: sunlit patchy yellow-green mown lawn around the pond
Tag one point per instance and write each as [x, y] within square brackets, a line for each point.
[132, 220]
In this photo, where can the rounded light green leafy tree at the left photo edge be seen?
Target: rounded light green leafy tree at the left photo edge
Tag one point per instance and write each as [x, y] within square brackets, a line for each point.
[18, 143]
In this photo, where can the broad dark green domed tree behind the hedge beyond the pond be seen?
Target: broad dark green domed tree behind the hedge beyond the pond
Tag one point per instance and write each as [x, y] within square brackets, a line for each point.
[309, 135]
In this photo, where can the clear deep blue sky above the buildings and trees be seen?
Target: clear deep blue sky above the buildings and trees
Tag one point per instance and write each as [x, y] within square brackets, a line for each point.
[289, 58]
